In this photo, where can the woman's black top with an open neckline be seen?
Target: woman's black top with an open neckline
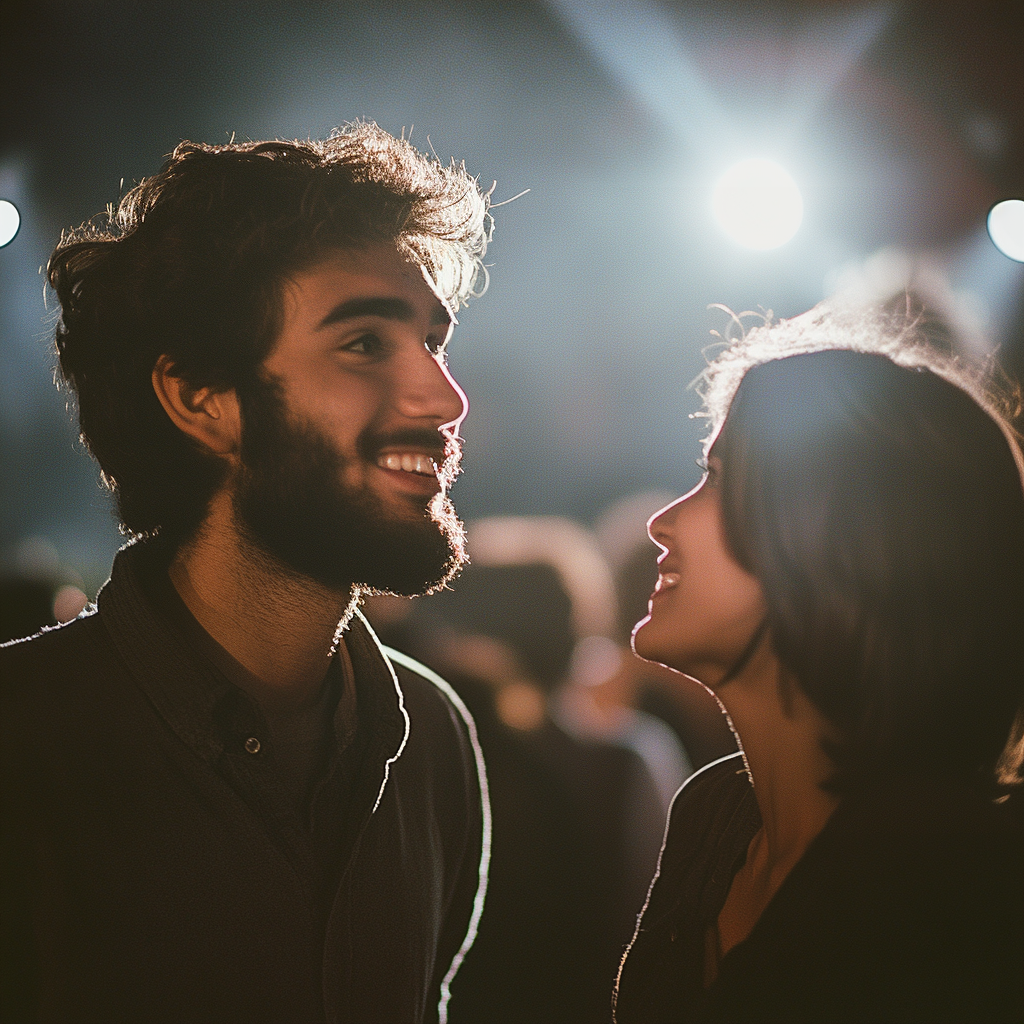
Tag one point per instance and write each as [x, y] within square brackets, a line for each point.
[908, 907]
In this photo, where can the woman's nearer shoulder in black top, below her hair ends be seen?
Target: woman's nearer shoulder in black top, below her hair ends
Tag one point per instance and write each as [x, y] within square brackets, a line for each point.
[907, 907]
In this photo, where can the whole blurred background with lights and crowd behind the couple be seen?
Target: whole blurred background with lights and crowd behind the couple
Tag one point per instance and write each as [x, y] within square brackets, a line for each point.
[666, 157]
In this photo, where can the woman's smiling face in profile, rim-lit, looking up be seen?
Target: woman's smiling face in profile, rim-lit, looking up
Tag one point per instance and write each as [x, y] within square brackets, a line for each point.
[706, 607]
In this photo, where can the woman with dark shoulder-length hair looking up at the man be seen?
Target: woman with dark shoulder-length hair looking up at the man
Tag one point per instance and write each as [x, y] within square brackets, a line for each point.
[848, 579]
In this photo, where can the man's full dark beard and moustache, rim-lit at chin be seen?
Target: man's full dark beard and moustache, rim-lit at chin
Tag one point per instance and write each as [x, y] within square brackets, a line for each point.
[292, 504]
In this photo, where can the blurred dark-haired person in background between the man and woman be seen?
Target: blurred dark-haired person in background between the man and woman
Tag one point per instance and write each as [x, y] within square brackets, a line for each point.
[578, 820]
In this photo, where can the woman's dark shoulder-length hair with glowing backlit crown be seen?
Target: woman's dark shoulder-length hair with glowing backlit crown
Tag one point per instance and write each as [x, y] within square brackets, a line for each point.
[875, 490]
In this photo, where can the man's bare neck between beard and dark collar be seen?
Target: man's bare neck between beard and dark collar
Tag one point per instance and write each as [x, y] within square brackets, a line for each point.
[279, 626]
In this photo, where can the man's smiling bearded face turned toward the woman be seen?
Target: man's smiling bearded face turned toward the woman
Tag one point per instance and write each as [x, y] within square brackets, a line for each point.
[350, 441]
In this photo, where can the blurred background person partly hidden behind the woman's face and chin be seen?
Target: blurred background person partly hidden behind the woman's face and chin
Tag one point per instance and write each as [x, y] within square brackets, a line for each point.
[693, 712]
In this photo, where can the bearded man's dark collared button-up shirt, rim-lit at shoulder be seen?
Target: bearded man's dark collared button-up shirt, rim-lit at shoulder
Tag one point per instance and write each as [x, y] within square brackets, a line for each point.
[155, 867]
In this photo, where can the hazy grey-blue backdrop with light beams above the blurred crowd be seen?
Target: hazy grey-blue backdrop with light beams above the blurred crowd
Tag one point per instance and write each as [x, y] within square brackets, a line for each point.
[903, 123]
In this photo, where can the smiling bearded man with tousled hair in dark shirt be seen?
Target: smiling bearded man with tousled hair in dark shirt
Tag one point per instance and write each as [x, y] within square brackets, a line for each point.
[223, 800]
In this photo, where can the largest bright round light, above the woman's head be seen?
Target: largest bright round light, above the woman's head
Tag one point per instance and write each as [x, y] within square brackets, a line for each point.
[758, 204]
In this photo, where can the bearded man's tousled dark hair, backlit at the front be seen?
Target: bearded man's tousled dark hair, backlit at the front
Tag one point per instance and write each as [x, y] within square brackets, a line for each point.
[192, 265]
